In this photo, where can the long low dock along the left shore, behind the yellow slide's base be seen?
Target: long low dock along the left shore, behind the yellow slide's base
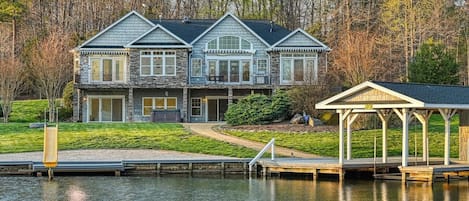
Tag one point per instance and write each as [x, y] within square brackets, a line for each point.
[130, 167]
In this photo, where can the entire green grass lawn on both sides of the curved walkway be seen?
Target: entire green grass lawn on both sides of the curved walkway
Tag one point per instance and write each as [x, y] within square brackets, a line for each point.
[17, 137]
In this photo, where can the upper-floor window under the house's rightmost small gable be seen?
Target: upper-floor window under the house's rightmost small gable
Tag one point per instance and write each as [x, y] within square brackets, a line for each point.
[298, 68]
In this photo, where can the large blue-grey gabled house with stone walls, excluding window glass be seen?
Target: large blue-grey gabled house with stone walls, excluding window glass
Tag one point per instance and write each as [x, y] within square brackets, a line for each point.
[119, 43]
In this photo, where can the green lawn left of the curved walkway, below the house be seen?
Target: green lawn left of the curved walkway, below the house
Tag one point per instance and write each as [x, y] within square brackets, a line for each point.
[17, 137]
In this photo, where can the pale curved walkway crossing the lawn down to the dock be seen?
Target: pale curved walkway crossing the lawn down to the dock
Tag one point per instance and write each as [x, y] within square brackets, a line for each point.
[206, 129]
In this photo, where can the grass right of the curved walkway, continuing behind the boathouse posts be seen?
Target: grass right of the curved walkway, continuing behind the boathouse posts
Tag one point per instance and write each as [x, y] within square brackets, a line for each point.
[327, 144]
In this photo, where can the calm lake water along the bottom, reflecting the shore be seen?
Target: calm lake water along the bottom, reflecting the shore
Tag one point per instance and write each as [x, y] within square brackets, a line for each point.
[232, 189]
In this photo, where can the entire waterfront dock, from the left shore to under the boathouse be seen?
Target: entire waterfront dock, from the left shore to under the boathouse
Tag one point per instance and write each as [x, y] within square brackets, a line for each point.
[317, 167]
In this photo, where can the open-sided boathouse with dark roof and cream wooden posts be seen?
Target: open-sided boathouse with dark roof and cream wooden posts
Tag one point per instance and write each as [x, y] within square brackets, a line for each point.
[406, 100]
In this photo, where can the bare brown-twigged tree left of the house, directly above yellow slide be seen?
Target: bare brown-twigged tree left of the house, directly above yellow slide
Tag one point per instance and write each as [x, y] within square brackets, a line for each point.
[50, 64]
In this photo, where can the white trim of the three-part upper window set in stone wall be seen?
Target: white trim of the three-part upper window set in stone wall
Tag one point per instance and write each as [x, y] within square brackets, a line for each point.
[163, 56]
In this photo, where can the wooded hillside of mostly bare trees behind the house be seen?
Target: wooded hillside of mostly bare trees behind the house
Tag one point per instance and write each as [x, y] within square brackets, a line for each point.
[370, 39]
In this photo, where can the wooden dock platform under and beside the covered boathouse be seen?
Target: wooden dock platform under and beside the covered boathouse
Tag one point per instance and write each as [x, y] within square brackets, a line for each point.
[417, 170]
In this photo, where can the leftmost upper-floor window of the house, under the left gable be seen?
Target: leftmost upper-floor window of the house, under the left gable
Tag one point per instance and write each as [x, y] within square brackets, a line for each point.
[109, 69]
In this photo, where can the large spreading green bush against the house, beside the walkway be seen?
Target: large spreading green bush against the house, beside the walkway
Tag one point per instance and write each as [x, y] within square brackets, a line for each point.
[258, 109]
